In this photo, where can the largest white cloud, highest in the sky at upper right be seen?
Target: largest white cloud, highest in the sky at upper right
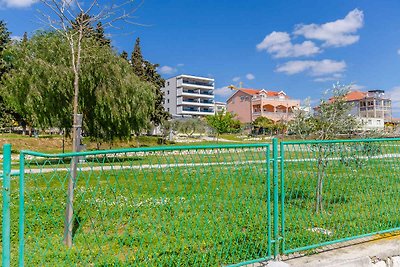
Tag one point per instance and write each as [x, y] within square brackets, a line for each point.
[337, 33]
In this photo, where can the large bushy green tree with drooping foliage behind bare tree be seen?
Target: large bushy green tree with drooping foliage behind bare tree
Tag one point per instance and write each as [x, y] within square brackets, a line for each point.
[113, 106]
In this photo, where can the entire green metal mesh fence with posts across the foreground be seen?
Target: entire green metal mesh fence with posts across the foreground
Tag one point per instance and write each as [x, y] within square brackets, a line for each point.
[200, 205]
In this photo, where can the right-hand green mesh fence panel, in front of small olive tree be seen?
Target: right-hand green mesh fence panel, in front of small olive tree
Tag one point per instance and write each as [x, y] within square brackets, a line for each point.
[334, 191]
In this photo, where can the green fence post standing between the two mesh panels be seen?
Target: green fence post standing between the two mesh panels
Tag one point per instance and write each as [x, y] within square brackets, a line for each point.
[276, 195]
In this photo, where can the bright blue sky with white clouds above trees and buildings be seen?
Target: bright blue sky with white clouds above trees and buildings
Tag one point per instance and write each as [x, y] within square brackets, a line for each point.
[300, 47]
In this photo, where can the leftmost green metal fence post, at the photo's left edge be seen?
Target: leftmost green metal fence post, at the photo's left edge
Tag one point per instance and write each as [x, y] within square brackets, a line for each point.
[6, 205]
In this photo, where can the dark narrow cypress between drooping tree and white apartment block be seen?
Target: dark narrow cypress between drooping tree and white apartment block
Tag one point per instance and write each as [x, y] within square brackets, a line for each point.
[147, 71]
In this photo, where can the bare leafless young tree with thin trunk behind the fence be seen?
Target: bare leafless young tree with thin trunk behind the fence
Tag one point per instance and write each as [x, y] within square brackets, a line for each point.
[74, 19]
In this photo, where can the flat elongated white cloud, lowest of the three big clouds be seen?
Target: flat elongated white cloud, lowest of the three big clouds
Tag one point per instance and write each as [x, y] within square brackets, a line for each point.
[313, 68]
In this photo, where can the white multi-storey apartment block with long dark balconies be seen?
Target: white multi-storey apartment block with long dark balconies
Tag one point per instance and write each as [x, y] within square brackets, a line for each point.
[187, 95]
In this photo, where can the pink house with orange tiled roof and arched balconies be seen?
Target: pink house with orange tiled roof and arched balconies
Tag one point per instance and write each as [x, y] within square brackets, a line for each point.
[249, 104]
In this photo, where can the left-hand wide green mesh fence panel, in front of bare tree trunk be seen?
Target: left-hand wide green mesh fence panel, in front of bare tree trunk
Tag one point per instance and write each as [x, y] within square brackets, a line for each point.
[170, 206]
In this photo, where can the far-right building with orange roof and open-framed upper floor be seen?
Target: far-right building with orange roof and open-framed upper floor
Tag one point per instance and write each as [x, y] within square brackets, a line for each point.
[372, 108]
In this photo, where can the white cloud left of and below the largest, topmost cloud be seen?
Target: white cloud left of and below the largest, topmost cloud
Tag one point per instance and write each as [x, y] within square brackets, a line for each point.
[280, 45]
